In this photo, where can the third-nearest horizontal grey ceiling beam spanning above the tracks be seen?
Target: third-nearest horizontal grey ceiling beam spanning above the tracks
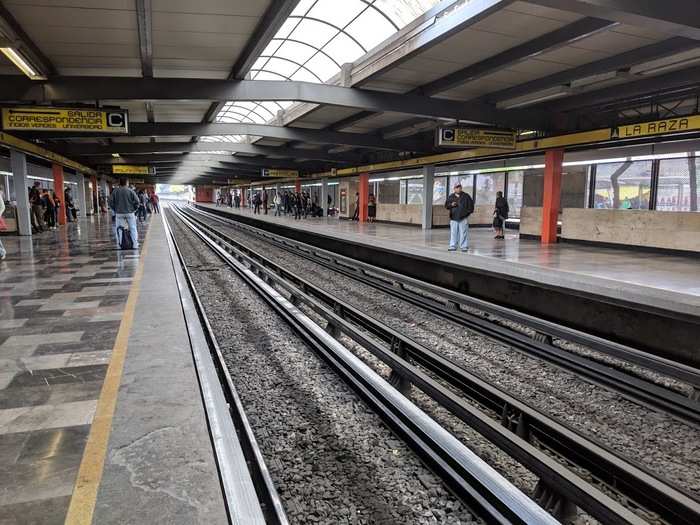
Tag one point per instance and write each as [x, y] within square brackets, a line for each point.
[87, 149]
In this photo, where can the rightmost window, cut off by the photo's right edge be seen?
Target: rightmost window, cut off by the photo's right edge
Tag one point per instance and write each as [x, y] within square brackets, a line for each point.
[678, 185]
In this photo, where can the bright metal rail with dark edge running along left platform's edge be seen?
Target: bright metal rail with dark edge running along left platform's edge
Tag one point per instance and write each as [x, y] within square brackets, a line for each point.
[250, 495]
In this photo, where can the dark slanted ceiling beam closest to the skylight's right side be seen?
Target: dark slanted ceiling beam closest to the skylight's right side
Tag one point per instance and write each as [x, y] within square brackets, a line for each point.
[548, 42]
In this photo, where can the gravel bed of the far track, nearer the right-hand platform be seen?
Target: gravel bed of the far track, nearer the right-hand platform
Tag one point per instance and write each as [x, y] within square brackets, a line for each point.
[662, 444]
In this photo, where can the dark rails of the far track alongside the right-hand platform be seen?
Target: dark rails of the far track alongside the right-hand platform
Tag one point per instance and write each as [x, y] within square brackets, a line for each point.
[450, 307]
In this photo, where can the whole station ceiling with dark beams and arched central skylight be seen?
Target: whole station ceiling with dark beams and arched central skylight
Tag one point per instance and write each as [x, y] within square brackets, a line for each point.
[317, 84]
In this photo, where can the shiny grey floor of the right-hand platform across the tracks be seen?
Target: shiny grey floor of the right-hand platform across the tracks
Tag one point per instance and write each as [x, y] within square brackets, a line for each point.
[661, 280]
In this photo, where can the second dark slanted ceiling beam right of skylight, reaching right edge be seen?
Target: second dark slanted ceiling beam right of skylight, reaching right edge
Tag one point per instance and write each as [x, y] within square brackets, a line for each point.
[656, 51]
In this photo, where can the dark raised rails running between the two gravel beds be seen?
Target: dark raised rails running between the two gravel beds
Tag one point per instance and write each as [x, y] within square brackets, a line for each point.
[619, 474]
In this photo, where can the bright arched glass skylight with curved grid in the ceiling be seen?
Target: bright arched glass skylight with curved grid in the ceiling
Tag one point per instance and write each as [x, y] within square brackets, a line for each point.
[314, 42]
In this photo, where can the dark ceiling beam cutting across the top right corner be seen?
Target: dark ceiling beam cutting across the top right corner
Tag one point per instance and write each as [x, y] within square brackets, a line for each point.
[675, 17]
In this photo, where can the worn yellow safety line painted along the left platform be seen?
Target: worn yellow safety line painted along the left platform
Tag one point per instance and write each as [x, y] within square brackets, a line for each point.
[82, 503]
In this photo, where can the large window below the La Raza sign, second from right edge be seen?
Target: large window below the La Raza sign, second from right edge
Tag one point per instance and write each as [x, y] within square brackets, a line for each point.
[623, 185]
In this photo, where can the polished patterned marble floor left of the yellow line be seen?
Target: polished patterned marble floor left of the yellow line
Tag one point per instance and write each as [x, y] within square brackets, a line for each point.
[62, 295]
